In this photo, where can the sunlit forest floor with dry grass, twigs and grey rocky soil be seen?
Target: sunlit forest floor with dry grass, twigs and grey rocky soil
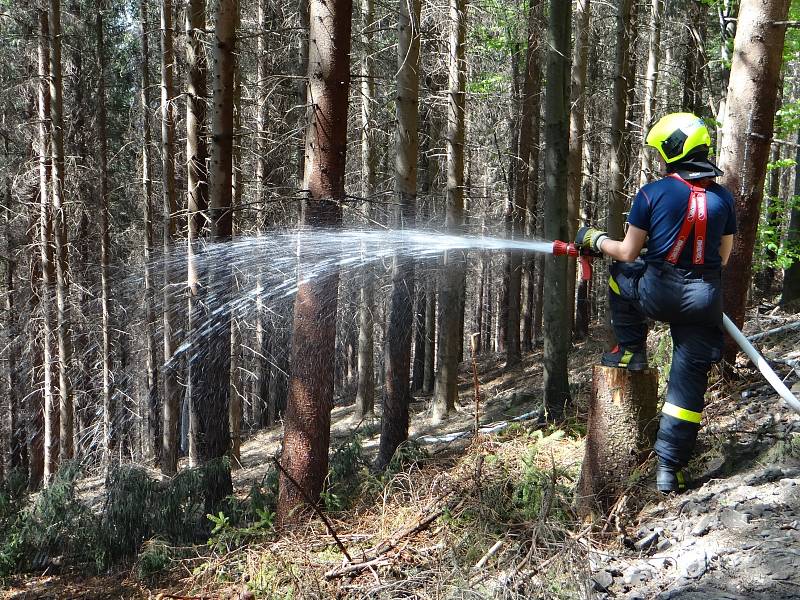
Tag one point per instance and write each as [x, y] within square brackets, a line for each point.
[493, 518]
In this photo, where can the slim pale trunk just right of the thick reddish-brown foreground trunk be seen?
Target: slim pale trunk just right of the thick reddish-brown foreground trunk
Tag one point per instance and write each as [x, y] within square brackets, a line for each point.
[365, 391]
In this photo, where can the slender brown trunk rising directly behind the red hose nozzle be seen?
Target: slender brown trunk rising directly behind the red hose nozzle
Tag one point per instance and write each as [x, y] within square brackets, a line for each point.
[577, 129]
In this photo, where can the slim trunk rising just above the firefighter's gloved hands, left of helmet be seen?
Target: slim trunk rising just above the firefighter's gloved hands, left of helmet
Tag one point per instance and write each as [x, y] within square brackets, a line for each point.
[619, 108]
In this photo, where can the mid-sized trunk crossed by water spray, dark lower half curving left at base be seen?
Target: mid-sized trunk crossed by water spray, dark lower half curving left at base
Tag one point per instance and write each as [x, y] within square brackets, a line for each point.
[394, 421]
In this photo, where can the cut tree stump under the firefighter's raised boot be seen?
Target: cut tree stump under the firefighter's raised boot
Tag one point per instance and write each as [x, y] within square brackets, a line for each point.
[622, 428]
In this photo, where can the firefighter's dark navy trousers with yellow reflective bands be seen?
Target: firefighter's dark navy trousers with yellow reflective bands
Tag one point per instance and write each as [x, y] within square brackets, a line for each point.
[690, 300]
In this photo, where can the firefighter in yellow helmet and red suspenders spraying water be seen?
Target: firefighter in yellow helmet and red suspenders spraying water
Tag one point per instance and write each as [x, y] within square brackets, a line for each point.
[686, 222]
